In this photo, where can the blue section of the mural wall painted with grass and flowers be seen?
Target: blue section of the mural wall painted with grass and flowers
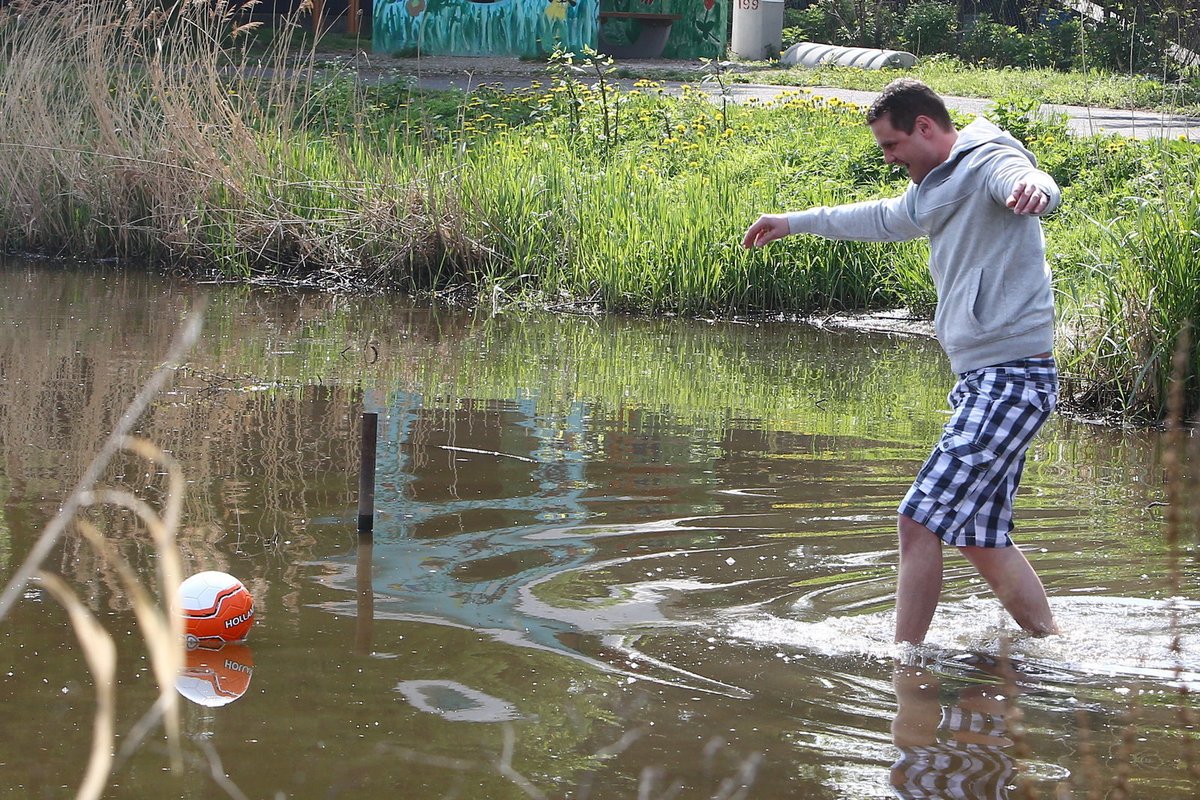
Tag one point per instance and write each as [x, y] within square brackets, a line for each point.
[521, 28]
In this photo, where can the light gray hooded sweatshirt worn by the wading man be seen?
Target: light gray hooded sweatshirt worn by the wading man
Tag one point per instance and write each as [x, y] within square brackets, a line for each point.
[989, 268]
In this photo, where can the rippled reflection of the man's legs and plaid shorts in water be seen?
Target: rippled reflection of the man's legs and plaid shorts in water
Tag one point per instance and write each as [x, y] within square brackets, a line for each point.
[955, 747]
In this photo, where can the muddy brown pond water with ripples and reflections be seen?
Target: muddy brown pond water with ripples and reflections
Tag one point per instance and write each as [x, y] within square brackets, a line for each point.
[614, 558]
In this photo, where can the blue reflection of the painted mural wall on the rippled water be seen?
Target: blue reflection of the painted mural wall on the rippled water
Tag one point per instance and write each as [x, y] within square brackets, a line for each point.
[423, 576]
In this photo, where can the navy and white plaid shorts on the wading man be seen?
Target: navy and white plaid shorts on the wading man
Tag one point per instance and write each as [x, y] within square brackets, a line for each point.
[965, 491]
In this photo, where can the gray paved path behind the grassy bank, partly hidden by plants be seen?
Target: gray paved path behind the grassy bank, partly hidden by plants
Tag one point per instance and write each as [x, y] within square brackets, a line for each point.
[1083, 121]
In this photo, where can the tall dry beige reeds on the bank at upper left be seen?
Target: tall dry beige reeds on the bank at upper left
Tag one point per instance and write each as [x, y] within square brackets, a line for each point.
[135, 130]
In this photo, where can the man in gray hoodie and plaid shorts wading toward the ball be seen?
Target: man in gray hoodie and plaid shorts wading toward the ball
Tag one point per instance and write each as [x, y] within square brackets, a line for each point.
[977, 195]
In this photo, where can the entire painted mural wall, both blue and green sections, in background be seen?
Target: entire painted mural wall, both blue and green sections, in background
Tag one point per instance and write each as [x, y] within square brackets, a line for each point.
[533, 28]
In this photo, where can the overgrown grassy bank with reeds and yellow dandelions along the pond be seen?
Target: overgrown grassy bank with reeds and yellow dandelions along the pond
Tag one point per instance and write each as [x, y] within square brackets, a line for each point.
[152, 137]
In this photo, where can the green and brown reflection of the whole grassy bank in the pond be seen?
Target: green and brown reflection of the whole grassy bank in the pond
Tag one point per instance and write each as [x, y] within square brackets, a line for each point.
[626, 374]
